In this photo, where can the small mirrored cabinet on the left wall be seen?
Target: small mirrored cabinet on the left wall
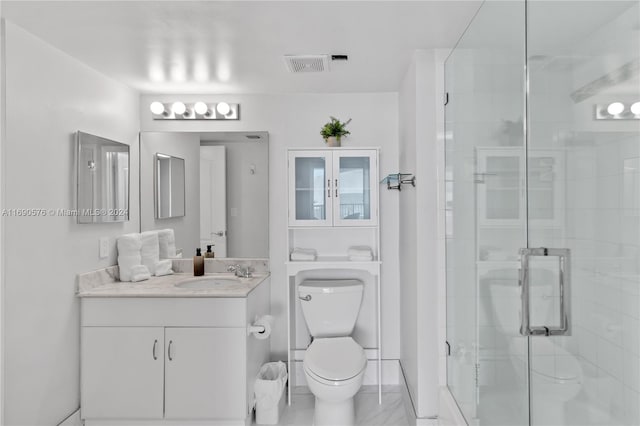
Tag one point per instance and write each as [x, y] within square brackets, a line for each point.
[102, 179]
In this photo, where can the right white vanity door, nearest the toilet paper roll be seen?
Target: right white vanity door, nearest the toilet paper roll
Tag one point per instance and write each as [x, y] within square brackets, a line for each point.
[205, 373]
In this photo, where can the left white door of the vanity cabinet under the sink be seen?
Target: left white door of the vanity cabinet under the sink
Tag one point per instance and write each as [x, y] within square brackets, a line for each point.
[122, 372]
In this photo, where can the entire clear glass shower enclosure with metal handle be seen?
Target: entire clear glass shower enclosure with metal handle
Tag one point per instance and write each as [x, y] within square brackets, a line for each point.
[543, 214]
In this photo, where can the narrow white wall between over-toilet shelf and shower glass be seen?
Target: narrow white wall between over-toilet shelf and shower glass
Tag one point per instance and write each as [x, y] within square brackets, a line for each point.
[421, 251]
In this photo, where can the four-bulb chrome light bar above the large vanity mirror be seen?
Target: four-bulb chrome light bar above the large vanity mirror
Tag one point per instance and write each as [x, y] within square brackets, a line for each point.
[194, 111]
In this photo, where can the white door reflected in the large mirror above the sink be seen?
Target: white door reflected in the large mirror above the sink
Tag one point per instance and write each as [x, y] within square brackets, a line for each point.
[213, 199]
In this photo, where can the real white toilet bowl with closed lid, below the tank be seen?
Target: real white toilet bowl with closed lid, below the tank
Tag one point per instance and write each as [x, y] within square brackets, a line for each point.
[334, 368]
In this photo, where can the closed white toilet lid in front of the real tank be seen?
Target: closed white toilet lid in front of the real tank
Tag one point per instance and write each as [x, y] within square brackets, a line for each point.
[335, 358]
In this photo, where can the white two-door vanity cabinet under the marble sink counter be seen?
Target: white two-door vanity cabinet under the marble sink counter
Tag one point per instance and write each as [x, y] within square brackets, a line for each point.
[170, 360]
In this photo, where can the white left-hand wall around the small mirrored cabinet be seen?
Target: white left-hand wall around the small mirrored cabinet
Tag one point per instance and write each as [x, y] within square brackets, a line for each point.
[49, 96]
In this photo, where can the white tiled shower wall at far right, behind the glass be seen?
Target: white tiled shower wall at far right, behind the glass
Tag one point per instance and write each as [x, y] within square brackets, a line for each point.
[602, 180]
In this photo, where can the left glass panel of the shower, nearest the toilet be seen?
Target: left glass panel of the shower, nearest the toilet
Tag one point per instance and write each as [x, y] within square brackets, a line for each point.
[486, 217]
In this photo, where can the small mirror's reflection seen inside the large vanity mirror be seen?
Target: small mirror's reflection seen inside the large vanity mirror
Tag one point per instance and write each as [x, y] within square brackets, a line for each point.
[169, 186]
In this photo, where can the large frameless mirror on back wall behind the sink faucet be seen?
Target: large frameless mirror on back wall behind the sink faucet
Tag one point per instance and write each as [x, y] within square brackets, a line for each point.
[227, 201]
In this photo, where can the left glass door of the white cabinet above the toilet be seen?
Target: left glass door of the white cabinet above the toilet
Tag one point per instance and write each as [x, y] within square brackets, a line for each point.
[310, 188]
